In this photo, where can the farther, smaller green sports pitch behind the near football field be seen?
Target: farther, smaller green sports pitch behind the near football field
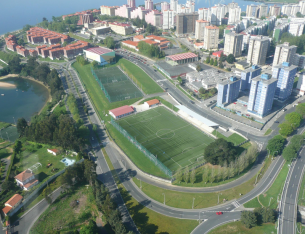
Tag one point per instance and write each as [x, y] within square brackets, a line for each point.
[115, 84]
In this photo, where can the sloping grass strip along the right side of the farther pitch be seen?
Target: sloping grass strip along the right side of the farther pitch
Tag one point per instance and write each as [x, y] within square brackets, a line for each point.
[149, 86]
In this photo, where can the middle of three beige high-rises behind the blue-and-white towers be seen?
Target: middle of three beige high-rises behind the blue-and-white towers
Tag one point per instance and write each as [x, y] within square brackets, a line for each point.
[258, 47]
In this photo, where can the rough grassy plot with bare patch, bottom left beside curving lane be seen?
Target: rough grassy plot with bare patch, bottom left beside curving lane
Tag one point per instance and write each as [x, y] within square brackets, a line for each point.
[61, 214]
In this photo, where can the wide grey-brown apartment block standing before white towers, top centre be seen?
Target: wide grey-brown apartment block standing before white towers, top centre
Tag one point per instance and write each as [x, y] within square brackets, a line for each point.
[186, 23]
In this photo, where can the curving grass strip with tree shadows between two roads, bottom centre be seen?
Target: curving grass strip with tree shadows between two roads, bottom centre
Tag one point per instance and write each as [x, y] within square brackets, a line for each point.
[148, 221]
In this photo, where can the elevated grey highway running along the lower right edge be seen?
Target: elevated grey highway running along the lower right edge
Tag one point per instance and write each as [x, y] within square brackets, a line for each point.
[288, 208]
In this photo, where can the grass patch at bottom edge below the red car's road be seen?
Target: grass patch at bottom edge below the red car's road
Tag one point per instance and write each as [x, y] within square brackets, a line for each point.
[238, 227]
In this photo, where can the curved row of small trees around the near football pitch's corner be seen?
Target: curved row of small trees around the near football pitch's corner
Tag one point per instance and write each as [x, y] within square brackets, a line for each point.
[216, 174]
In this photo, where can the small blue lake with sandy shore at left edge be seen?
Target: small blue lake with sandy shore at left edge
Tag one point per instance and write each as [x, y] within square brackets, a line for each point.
[24, 100]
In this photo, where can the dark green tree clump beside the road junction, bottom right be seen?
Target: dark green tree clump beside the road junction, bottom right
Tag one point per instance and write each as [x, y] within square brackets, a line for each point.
[257, 217]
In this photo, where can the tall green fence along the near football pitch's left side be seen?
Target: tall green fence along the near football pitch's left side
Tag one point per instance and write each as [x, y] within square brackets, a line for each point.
[149, 155]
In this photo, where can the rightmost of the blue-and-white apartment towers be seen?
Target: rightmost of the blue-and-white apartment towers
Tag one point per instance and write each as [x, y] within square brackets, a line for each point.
[284, 73]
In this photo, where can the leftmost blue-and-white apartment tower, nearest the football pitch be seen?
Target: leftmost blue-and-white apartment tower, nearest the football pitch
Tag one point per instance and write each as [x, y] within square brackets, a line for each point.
[228, 91]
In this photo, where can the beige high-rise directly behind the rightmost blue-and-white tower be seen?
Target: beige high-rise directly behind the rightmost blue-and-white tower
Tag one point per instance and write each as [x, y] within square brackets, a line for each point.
[284, 53]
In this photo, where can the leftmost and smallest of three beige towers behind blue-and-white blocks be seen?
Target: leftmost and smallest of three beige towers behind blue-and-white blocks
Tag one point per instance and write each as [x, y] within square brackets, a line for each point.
[233, 44]
